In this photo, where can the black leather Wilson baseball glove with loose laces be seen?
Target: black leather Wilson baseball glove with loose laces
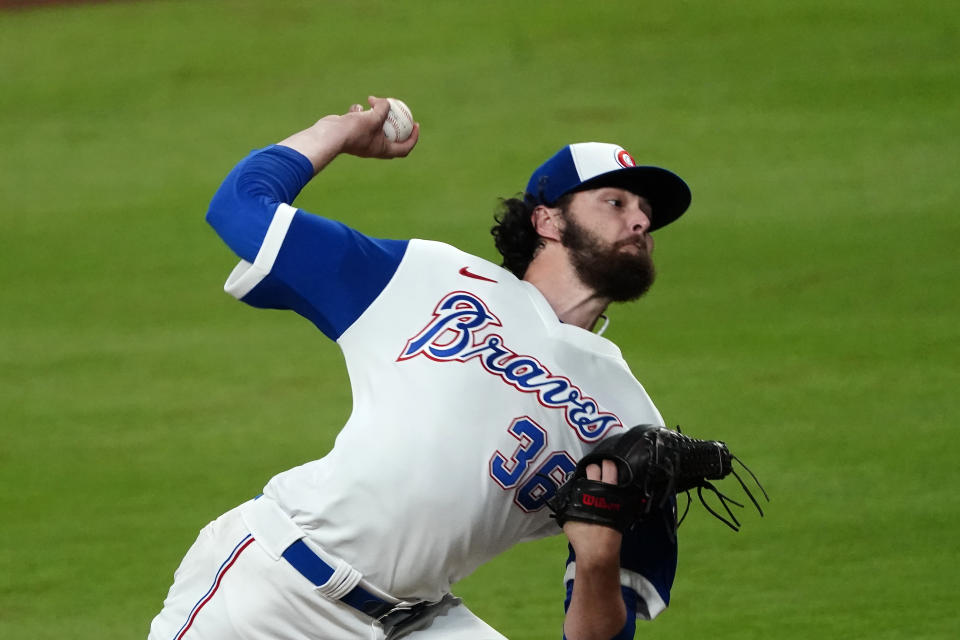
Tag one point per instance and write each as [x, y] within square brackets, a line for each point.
[654, 464]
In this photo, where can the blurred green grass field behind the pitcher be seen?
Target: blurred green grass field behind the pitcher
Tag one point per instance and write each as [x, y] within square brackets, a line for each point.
[806, 311]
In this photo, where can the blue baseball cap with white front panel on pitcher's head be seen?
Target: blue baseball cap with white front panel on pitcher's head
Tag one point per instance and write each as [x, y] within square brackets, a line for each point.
[589, 165]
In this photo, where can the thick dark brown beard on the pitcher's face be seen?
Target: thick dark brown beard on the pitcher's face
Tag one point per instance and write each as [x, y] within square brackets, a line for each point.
[608, 270]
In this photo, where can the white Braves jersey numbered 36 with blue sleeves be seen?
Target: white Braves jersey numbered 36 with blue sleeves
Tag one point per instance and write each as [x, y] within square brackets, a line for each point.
[471, 400]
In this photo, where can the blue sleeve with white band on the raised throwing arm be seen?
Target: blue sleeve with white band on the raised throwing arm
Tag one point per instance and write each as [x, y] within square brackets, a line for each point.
[320, 268]
